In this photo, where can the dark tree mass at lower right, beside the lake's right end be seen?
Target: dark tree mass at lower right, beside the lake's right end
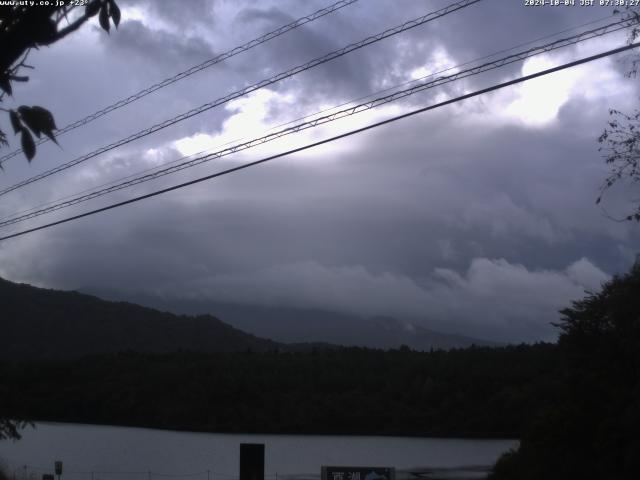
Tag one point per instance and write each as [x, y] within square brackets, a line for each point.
[592, 429]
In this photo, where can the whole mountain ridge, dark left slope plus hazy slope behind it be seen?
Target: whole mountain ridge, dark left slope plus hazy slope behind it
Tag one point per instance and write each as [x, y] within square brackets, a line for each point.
[40, 323]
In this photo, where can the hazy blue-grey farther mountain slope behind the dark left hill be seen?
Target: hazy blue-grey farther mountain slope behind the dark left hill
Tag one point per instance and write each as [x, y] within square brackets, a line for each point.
[284, 324]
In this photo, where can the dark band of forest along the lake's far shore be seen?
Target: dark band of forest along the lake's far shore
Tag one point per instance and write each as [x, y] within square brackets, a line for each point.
[476, 392]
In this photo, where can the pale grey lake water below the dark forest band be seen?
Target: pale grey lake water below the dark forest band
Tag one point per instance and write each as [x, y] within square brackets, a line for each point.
[91, 452]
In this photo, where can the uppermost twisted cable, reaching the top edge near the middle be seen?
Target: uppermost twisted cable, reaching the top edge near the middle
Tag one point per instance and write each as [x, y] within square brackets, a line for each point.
[190, 71]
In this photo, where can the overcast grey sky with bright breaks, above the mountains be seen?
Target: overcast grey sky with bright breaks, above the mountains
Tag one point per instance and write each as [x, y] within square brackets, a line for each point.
[478, 217]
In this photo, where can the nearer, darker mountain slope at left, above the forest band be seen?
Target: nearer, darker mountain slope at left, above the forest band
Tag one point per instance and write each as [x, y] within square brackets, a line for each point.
[38, 323]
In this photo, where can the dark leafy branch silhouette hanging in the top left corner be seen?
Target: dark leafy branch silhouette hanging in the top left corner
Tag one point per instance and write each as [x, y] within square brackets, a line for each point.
[25, 27]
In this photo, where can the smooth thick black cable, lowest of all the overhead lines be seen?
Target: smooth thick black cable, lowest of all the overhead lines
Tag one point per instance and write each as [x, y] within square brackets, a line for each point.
[331, 139]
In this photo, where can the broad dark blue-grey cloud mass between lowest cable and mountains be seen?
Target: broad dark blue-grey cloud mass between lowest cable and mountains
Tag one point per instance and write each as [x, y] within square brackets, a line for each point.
[395, 230]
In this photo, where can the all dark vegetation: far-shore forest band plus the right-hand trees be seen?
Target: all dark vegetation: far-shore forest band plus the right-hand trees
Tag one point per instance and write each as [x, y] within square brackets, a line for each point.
[575, 405]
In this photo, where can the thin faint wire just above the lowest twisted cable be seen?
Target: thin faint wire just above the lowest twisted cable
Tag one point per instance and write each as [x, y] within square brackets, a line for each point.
[289, 122]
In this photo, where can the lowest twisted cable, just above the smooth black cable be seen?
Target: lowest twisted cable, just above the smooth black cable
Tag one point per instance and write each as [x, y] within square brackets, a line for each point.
[136, 180]
